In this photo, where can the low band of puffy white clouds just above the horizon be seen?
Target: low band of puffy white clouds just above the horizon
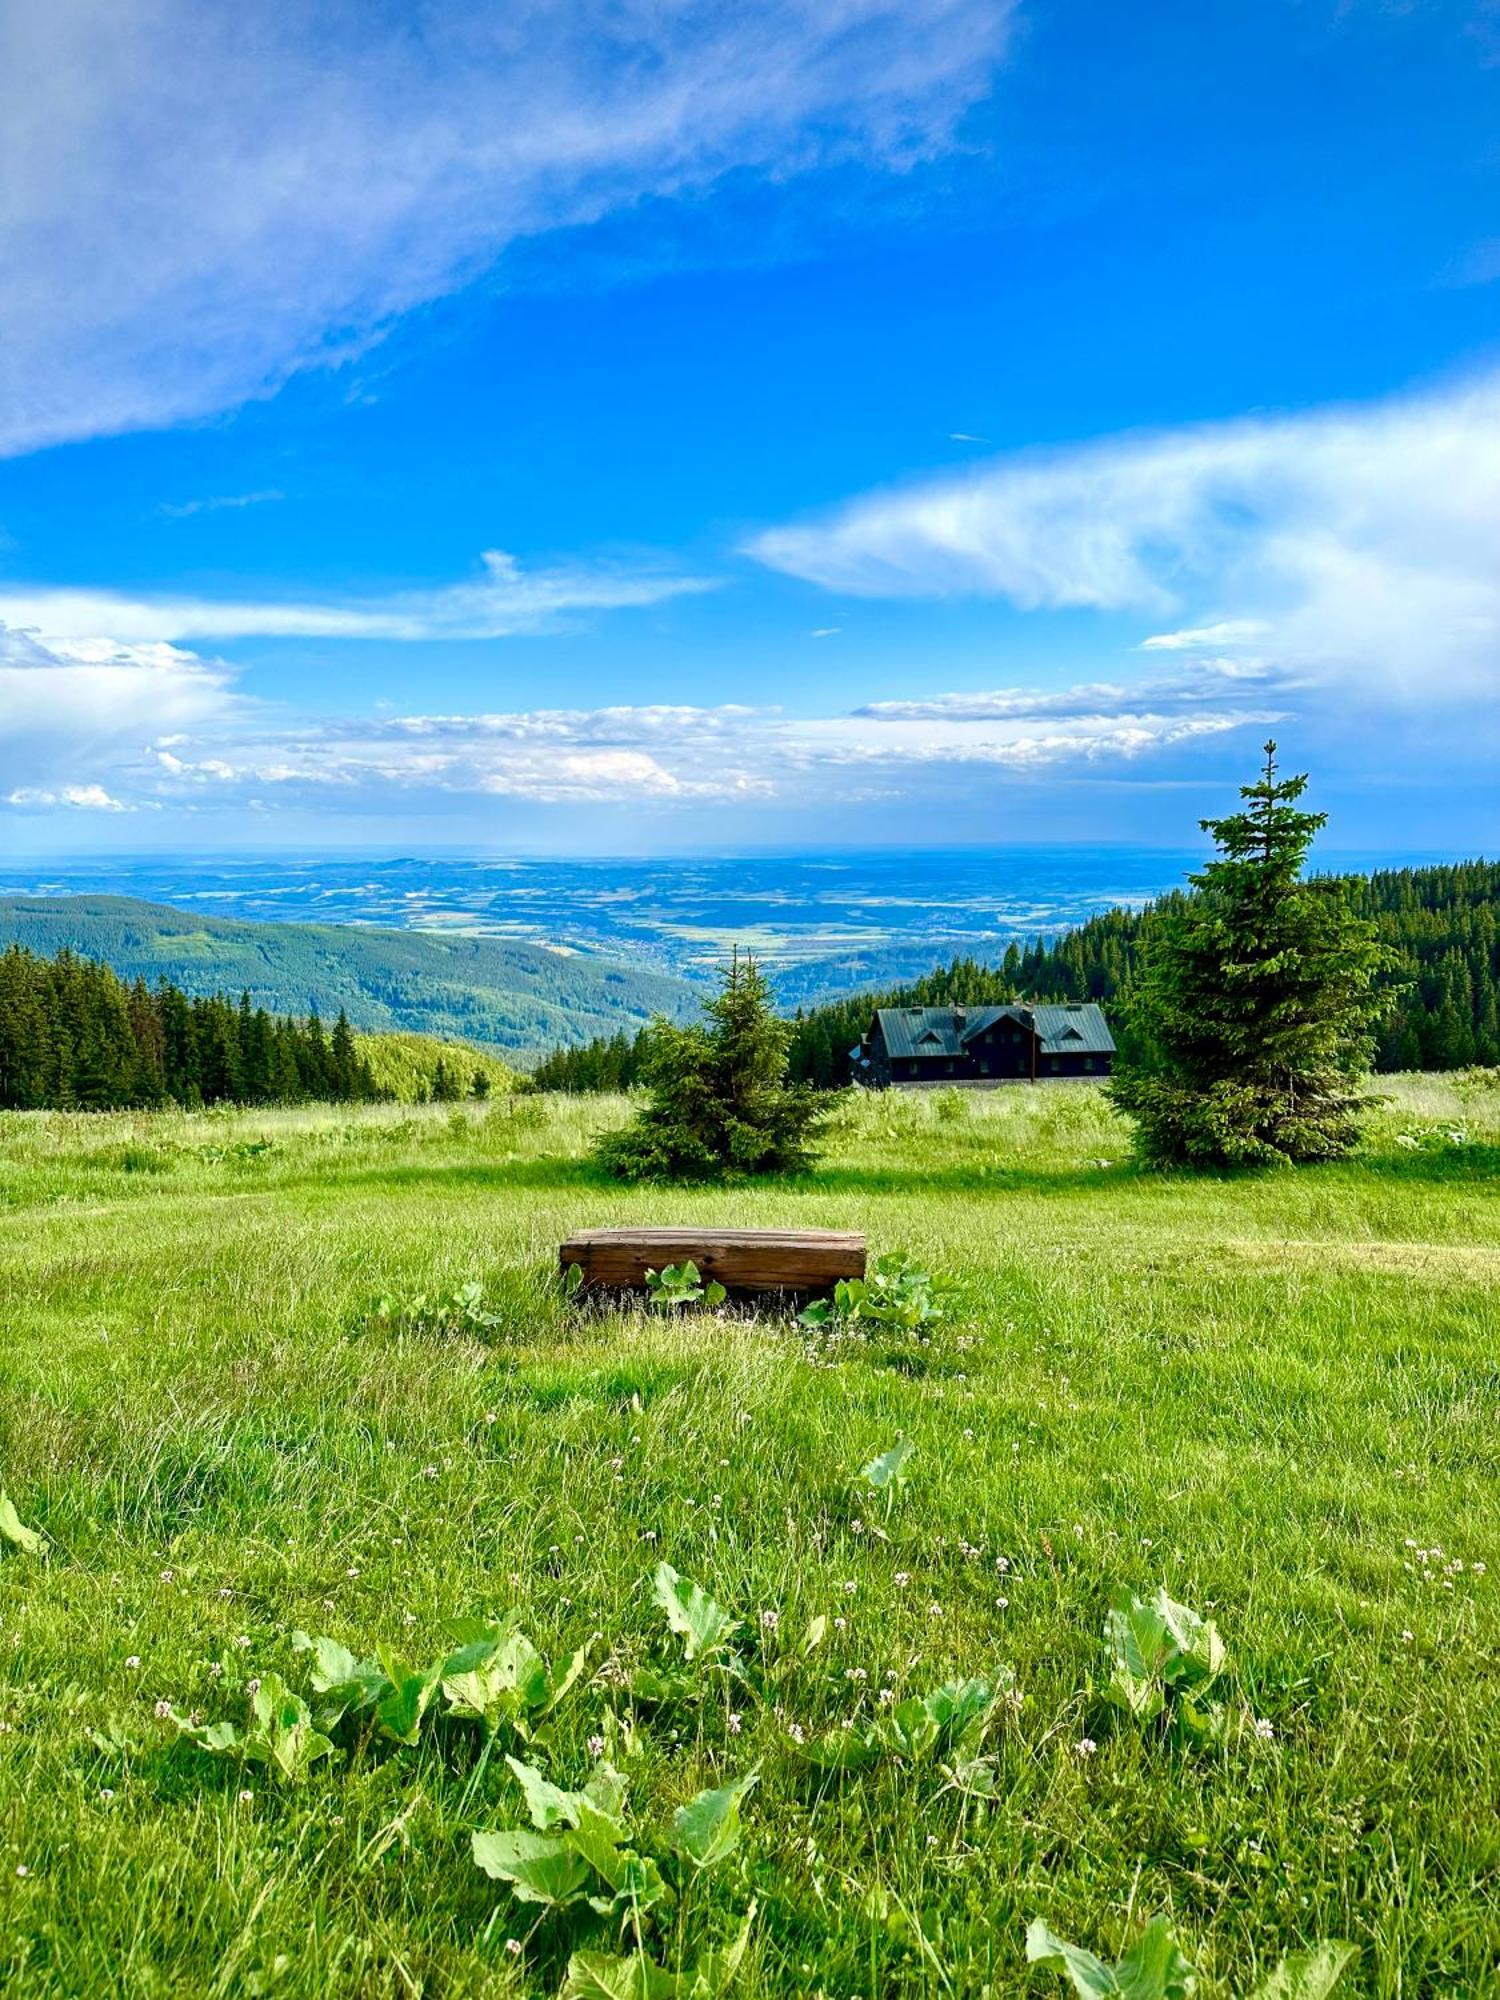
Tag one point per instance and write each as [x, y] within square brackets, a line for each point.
[117, 725]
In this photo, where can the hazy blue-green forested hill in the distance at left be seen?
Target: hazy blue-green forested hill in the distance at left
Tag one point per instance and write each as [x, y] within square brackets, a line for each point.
[521, 999]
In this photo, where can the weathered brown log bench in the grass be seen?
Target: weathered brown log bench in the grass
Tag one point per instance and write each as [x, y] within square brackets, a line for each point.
[741, 1261]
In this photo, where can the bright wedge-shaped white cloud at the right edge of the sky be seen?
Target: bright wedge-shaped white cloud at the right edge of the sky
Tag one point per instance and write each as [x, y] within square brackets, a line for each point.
[1349, 543]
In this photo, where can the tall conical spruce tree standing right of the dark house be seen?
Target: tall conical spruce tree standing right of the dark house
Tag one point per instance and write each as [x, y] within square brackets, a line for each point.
[1255, 1007]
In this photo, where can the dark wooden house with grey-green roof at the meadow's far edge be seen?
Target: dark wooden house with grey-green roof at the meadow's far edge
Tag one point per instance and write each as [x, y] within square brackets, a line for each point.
[983, 1045]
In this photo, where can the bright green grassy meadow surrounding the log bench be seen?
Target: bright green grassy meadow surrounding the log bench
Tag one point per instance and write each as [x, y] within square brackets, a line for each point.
[1277, 1397]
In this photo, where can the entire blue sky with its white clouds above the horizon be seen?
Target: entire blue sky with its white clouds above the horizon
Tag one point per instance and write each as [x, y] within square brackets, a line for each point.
[661, 427]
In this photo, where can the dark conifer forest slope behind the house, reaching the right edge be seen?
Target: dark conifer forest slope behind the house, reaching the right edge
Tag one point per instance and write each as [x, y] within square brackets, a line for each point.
[1445, 923]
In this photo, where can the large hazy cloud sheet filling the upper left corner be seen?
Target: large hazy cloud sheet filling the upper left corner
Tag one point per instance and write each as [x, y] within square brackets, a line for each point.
[197, 201]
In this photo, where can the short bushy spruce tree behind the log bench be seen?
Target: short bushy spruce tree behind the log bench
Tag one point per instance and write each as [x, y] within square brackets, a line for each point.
[721, 1101]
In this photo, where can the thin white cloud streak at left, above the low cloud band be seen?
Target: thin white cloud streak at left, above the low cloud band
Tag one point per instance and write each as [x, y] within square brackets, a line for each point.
[499, 603]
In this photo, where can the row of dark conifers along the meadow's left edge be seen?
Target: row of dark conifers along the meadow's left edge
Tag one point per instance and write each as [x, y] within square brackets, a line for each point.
[77, 1037]
